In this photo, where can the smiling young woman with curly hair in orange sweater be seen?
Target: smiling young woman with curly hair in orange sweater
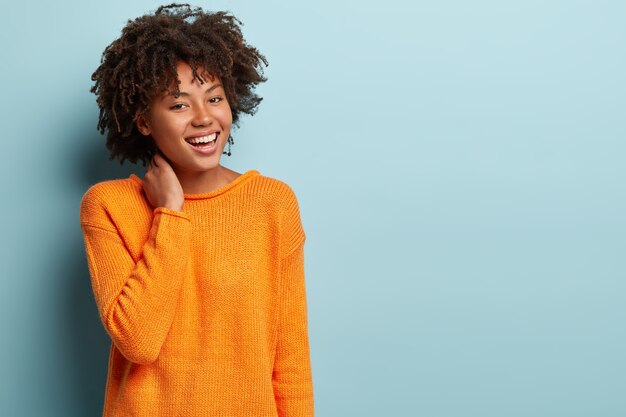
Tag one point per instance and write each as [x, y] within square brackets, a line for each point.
[197, 270]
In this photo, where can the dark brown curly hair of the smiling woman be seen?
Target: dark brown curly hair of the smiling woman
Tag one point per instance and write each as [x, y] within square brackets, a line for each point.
[141, 63]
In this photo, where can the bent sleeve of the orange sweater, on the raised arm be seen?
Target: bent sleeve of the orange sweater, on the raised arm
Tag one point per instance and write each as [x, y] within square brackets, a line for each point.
[137, 300]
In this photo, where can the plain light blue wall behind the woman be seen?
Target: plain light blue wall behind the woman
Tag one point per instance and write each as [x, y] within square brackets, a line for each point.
[459, 167]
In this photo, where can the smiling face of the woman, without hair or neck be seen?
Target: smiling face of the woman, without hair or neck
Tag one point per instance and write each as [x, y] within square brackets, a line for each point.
[190, 129]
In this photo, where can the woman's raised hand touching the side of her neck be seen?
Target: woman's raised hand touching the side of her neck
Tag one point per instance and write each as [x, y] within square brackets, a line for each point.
[161, 185]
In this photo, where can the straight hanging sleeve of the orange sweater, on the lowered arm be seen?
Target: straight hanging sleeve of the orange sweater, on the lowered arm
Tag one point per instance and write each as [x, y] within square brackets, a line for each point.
[292, 378]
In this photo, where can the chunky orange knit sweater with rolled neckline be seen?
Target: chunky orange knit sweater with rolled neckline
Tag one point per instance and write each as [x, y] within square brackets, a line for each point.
[206, 308]
